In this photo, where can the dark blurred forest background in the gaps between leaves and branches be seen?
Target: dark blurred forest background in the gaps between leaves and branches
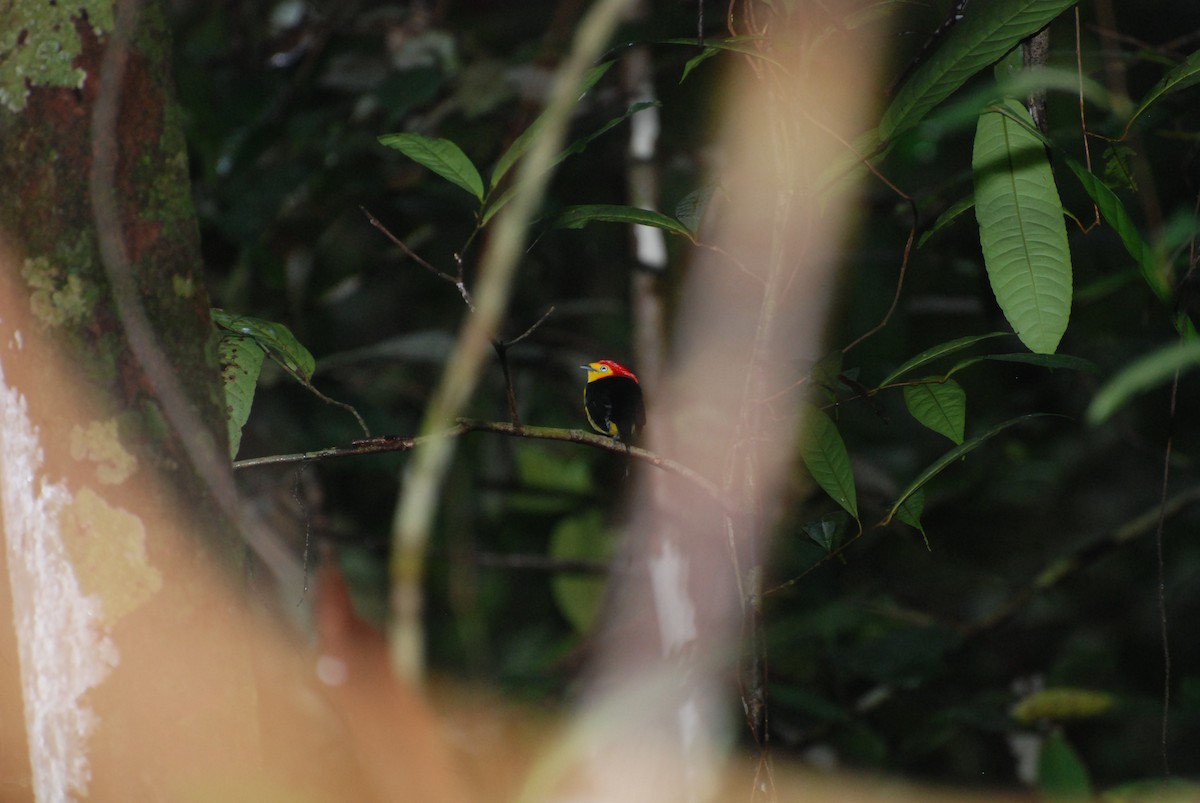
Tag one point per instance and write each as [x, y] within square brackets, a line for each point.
[877, 658]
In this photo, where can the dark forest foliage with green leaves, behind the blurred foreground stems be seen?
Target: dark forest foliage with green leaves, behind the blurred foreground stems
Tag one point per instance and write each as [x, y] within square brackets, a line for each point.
[969, 562]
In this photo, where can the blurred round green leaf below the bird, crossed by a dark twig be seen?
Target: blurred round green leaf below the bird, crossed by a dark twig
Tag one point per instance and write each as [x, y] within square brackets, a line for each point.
[580, 597]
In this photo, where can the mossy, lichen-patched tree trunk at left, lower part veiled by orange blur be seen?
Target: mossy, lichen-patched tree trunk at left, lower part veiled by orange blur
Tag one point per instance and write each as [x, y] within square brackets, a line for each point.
[107, 516]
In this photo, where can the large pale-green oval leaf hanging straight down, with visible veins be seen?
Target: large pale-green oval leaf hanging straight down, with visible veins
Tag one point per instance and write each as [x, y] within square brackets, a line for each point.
[1022, 227]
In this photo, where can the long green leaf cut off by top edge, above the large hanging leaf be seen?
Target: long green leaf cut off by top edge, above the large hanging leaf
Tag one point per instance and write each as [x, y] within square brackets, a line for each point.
[987, 33]
